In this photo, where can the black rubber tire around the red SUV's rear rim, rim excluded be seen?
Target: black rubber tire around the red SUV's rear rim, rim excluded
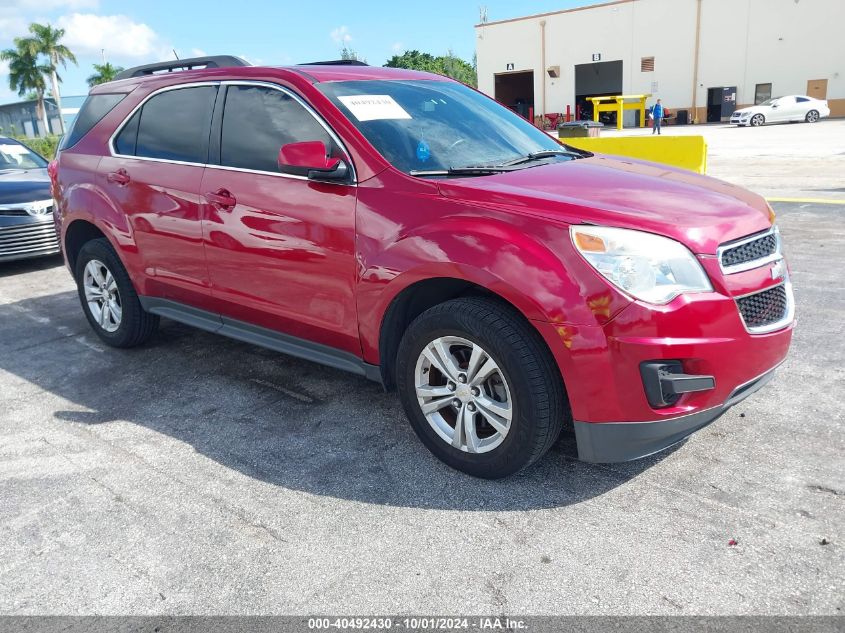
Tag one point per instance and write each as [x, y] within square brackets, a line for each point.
[136, 326]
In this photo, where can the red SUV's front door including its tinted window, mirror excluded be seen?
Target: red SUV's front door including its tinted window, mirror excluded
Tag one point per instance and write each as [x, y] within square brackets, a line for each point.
[280, 247]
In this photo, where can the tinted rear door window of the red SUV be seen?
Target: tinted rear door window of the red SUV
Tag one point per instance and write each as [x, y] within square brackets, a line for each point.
[175, 125]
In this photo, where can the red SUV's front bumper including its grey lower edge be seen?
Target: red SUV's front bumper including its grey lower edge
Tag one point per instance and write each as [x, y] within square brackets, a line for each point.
[702, 334]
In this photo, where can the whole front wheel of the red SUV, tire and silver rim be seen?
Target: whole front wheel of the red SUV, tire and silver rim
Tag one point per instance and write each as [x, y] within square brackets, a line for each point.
[480, 388]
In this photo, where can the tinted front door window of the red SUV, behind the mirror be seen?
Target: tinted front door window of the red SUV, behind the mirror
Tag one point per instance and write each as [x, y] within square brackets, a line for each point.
[257, 121]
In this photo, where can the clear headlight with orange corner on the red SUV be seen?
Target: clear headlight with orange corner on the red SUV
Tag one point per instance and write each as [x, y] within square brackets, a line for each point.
[649, 267]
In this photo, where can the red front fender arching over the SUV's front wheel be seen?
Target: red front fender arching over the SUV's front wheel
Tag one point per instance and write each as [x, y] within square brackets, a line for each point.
[530, 267]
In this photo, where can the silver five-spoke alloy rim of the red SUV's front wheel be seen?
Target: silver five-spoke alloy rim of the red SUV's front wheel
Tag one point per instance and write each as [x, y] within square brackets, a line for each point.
[463, 394]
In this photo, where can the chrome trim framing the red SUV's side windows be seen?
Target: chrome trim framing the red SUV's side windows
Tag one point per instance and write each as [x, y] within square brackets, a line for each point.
[236, 82]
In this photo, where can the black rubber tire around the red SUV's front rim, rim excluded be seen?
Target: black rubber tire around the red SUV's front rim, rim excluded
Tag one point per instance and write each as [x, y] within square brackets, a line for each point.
[539, 406]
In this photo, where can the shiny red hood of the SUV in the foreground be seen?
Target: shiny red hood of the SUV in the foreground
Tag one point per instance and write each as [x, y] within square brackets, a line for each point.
[699, 211]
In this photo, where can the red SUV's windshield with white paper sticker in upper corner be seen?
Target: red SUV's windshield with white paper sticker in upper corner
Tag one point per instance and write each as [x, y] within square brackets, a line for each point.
[430, 126]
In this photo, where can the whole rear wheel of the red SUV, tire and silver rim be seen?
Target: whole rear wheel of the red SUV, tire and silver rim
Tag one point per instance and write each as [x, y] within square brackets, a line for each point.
[108, 297]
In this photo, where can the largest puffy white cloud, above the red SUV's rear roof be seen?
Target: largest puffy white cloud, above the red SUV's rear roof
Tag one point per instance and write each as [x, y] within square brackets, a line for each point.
[119, 35]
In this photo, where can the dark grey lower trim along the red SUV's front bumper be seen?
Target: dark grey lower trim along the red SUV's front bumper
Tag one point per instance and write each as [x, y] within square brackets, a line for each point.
[609, 442]
